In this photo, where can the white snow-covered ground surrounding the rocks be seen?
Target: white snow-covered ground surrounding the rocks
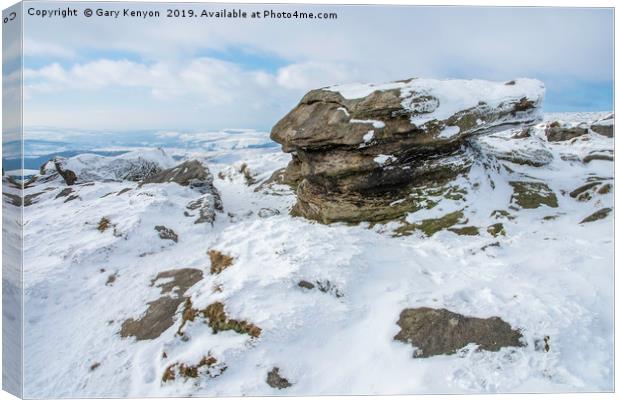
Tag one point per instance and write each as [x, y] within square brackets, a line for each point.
[548, 276]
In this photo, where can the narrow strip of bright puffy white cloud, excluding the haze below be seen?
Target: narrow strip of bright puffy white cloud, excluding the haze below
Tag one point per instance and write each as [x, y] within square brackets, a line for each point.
[211, 80]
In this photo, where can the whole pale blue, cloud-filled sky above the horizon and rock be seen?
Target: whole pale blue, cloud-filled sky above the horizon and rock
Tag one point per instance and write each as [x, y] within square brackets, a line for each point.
[165, 73]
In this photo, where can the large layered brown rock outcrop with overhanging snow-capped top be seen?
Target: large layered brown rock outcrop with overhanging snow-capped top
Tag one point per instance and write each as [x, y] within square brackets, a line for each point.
[357, 149]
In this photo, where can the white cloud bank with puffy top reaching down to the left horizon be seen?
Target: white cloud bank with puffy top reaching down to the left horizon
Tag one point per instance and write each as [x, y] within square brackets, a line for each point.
[202, 92]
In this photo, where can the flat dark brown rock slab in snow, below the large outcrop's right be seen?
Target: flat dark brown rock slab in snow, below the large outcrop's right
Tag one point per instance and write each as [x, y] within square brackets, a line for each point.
[439, 331]
